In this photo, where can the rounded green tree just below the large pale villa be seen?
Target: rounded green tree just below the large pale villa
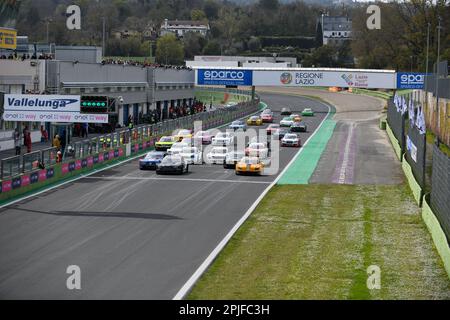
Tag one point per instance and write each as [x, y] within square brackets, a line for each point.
[169, 50]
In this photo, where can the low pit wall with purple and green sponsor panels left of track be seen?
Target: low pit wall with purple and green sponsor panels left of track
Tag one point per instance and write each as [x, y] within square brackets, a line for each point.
[27, 183]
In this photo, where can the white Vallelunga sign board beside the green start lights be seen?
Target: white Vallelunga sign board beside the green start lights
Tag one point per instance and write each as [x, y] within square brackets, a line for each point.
[47, 108]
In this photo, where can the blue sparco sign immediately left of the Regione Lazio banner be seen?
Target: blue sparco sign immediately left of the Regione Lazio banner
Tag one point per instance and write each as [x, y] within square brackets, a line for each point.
[223, 77]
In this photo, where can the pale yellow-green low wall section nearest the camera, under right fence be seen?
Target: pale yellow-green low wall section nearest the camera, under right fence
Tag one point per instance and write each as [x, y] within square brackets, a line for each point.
[437, 234]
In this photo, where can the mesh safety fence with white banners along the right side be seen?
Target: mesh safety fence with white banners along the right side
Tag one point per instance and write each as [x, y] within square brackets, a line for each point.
[426, 168]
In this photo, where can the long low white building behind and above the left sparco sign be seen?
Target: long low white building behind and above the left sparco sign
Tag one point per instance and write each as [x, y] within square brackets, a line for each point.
[240, 61]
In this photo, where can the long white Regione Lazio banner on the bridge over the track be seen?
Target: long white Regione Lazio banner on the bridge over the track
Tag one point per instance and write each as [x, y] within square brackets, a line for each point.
[385, 80]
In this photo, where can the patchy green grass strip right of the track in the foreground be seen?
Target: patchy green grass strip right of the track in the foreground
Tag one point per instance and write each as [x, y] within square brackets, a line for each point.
[316, 242]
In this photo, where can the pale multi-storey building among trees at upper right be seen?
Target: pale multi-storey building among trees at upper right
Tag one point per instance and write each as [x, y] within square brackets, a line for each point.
[335, 30]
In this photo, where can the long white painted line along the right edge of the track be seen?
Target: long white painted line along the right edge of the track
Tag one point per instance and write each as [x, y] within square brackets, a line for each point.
[213, 255]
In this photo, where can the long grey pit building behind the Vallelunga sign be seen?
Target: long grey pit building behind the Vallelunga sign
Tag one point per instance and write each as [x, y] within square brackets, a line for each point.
[142, 89]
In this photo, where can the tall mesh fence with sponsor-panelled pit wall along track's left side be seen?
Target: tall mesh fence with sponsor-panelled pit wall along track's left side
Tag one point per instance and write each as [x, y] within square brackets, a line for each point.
[20, 174]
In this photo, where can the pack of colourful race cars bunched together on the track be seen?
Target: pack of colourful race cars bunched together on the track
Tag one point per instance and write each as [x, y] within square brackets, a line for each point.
[175, 153]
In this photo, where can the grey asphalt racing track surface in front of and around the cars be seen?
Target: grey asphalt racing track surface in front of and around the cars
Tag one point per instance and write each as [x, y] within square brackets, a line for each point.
[134, 235]
